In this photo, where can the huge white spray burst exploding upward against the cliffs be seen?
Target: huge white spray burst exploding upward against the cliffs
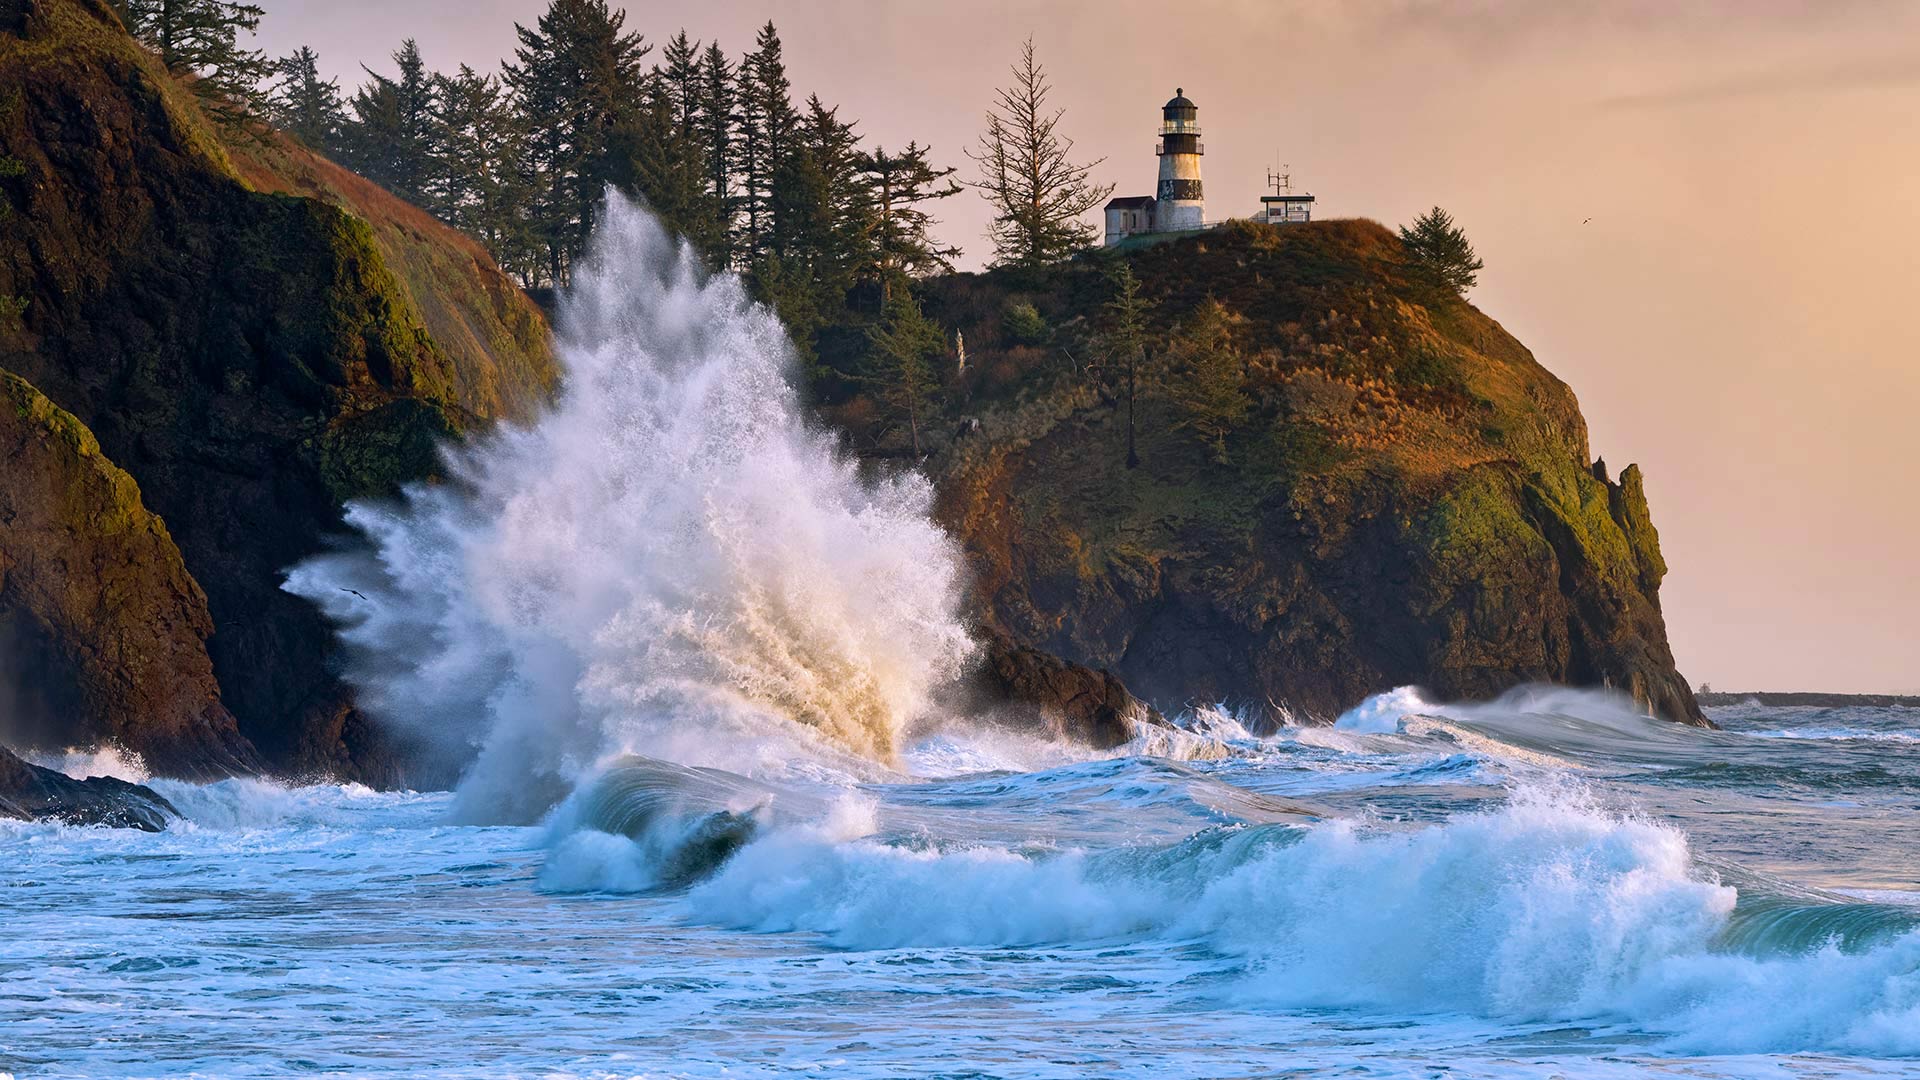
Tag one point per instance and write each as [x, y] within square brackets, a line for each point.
[669, 562]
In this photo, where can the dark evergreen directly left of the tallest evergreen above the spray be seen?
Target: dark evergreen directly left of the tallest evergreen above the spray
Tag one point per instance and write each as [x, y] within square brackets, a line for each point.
[479, 185]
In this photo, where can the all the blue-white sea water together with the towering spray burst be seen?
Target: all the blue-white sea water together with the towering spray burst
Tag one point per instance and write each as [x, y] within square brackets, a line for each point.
[721, 818]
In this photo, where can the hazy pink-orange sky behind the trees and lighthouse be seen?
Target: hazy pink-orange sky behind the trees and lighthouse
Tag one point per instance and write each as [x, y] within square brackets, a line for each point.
[1739, 316]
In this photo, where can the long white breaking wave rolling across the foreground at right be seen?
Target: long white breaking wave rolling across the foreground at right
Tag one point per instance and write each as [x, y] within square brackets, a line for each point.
[1548, 908]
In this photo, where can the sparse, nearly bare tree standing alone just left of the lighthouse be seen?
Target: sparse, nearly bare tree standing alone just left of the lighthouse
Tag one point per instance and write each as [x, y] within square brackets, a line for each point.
[1036, 189]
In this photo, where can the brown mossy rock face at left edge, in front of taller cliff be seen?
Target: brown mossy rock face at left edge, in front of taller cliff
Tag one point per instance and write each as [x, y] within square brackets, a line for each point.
[107, 629]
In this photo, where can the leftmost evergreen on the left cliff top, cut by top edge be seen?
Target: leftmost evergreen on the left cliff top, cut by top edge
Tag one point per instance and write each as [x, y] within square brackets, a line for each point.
[203, 39]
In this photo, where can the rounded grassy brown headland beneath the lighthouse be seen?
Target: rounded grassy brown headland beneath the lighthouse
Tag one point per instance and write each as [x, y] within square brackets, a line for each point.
[1410, 497]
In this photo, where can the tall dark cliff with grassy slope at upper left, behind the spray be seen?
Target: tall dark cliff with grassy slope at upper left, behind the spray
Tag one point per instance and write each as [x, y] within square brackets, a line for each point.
[252, 335]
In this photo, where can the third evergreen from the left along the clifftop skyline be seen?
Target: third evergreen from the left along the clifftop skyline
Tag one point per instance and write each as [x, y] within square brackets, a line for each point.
[395, 122]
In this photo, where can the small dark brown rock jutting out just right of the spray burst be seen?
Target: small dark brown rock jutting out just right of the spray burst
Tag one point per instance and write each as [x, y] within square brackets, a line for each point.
[1068, 700]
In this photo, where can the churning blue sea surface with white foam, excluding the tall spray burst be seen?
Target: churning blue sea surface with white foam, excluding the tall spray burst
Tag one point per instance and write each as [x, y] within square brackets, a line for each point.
[1545, 887]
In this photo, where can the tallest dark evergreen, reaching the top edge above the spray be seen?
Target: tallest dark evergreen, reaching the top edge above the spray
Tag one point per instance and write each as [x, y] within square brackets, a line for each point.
[575, 80]
